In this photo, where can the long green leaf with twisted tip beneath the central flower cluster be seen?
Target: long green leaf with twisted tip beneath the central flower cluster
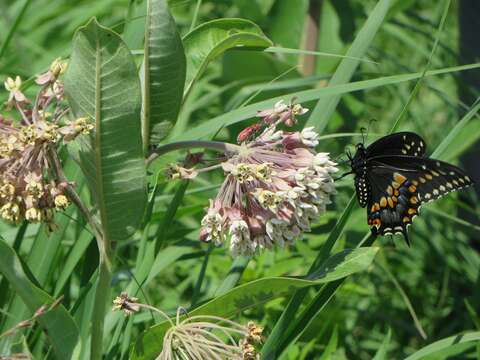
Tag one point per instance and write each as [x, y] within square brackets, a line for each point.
[260, 291]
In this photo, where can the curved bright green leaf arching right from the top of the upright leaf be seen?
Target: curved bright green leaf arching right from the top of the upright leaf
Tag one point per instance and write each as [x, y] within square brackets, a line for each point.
[211, 39]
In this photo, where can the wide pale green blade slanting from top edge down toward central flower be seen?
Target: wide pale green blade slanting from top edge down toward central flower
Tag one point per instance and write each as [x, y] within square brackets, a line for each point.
[326, 106]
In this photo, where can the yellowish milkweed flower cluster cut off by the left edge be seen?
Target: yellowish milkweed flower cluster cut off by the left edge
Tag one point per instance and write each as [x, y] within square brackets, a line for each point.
[27, 188]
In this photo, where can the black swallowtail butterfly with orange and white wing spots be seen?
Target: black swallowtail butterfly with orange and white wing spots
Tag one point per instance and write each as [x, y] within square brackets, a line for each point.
[393, 178]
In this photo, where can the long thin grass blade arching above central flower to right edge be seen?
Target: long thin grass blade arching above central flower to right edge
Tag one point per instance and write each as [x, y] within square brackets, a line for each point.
[249, 111]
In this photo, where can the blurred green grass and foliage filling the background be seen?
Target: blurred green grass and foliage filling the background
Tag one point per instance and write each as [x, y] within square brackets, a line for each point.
[431, 288]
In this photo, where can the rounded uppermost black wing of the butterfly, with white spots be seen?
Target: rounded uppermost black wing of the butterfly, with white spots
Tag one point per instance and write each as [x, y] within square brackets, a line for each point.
[401, 143]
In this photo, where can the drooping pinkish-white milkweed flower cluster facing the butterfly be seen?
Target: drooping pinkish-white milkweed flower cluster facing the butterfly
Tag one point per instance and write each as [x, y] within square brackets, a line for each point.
[275, 186]
